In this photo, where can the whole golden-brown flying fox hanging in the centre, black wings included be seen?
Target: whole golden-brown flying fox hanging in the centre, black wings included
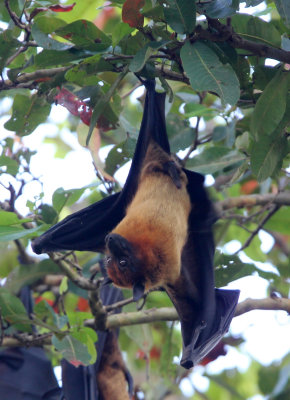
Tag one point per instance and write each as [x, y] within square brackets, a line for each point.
[157, 232]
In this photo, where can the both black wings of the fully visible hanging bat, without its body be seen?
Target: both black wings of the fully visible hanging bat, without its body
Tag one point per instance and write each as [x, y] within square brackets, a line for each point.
[205, 312]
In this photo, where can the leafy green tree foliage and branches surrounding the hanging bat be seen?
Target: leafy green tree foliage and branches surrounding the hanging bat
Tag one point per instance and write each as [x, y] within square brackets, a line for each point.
[227, 77]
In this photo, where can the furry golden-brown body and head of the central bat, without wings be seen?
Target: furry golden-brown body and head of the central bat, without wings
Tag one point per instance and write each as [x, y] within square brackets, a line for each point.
[144, 250]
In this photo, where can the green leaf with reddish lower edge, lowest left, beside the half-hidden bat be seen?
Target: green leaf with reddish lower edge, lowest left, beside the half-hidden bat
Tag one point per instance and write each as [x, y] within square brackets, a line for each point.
[72, 350]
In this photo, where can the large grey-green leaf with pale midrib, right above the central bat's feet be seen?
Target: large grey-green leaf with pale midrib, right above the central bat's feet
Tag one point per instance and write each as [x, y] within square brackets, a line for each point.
[207, 73]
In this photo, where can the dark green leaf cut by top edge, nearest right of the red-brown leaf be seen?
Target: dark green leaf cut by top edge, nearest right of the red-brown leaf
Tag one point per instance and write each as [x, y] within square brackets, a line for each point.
[180, 15]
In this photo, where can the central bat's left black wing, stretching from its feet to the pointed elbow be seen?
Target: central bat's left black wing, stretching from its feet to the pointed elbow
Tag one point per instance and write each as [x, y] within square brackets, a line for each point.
[86, 229]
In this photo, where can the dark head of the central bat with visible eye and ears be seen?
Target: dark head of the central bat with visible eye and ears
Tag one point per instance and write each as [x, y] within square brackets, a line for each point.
[123, 264]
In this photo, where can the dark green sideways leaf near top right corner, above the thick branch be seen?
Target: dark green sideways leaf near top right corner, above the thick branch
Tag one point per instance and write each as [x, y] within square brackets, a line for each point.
[256, 29]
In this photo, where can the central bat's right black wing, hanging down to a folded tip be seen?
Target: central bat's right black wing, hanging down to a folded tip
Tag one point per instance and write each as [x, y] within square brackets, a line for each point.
[205, 312]
